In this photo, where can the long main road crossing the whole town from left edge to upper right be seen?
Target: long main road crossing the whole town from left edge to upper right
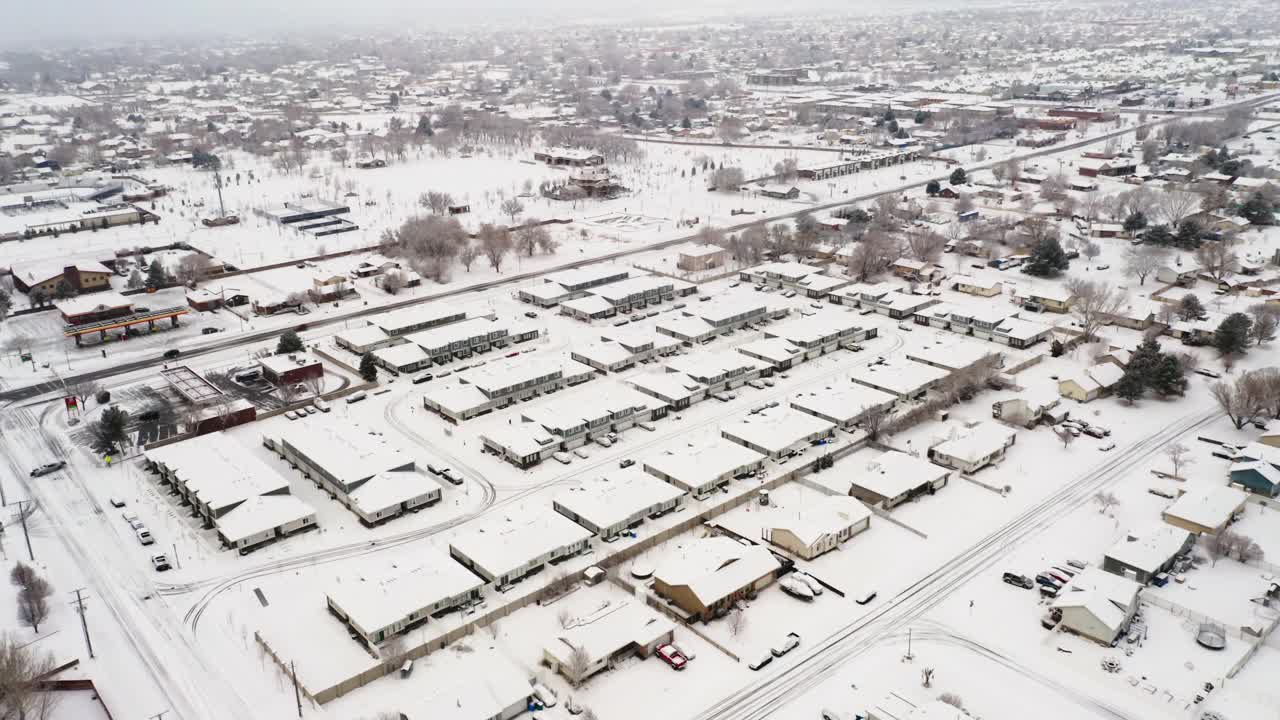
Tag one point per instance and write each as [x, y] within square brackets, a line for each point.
[28, 393]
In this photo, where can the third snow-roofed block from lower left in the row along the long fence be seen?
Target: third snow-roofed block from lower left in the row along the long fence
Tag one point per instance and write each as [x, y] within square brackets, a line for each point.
[619, 500]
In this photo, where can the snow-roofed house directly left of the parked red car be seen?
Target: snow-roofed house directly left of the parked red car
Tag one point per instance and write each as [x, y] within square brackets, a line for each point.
[602, 642]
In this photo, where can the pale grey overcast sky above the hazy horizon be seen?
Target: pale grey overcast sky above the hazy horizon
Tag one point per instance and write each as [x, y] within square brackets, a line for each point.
[70, 22]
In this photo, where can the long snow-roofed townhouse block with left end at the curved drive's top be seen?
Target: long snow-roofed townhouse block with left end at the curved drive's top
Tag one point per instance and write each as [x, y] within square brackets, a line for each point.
[501, 384]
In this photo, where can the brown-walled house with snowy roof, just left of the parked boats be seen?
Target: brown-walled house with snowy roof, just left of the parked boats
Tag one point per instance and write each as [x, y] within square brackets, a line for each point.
[711, 575]
